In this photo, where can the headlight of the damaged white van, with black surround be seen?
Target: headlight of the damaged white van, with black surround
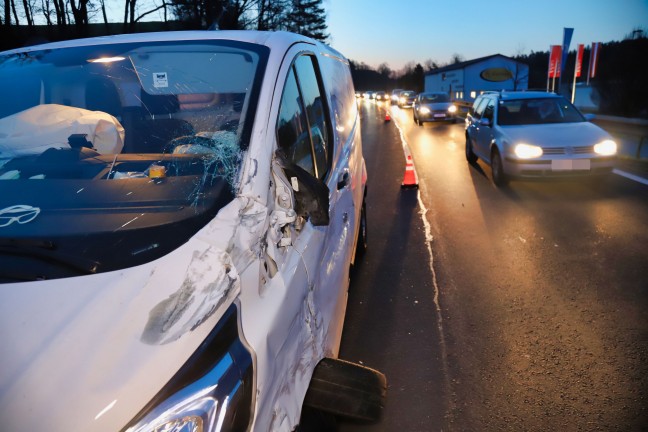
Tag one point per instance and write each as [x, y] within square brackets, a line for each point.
[213, 391]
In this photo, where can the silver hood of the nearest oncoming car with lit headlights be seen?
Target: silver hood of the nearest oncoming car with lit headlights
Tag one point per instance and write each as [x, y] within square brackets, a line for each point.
[556, 135]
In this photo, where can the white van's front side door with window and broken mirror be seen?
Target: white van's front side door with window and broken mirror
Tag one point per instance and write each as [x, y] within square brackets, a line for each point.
[325, 249]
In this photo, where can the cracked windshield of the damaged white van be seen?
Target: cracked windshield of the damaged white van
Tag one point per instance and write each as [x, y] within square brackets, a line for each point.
[114, 155]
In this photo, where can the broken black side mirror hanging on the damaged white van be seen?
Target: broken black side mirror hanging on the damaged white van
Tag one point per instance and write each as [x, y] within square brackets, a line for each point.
[311, 194]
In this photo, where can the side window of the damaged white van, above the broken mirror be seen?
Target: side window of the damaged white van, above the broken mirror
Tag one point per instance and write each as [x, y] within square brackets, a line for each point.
[303, 130]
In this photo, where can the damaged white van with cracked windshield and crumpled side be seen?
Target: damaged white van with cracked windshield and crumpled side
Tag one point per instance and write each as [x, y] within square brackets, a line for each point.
[178, 215]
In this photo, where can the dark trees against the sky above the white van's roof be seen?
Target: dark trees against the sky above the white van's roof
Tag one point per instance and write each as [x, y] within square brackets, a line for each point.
[24, 22]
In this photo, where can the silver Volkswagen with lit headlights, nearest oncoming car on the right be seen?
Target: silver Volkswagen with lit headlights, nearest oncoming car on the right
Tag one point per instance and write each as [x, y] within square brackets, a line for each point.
[535, 135]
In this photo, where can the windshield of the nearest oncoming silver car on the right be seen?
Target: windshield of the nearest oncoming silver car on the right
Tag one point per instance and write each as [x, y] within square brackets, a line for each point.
[537, 111]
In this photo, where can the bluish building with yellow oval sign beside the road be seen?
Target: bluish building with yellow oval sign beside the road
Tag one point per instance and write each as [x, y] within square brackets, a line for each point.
[466, 80]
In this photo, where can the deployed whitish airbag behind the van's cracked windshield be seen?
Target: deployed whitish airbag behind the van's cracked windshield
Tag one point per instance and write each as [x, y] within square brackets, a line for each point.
[42, 127]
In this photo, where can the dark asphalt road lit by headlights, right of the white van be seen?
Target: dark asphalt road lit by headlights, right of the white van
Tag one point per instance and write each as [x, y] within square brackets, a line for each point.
[490, 309]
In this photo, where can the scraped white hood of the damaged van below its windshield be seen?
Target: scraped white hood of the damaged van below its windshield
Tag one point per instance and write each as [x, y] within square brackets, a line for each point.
[88, 353]
